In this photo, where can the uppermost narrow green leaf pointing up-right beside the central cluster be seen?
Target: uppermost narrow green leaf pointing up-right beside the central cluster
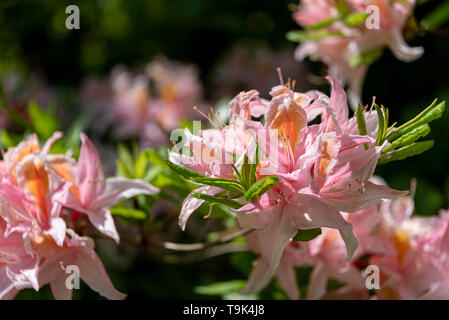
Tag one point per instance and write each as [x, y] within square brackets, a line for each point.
[429, 114]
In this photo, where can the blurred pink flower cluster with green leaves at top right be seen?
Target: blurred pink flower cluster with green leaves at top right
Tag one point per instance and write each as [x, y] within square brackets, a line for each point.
[350, 35]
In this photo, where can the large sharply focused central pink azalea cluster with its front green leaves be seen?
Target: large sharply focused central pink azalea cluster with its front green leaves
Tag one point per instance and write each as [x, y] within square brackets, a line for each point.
[312, 177]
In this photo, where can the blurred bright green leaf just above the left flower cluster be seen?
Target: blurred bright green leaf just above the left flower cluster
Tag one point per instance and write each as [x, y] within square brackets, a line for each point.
[44, 123]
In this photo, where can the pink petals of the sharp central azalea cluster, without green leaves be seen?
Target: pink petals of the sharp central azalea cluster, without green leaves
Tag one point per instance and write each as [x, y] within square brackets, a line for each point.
[322, 169]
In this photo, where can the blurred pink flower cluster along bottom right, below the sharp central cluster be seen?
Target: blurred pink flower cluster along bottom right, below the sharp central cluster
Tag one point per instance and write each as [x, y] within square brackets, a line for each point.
[409, 253]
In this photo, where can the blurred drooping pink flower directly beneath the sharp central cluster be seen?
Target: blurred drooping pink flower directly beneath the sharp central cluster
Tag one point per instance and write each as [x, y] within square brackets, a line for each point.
[326, 254]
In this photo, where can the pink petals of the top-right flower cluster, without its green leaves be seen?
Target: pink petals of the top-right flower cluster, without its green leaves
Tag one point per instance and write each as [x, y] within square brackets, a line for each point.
[337, 50]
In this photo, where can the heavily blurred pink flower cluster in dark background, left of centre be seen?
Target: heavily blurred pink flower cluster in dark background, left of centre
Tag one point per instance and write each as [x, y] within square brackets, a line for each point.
[145, 105]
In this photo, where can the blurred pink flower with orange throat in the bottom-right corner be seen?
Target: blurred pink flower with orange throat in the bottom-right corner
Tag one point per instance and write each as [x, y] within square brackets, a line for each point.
[411, 252]
